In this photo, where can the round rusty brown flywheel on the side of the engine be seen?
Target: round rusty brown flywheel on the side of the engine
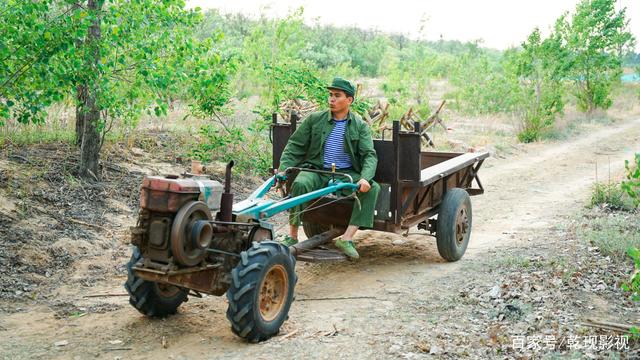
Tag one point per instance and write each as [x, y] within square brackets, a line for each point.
[183, 248]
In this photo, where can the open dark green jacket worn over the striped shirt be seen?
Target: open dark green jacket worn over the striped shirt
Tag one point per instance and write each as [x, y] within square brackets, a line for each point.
[306, 145]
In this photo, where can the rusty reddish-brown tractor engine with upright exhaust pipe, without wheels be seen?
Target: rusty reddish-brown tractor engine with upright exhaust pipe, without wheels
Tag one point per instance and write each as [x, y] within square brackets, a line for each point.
[186, 234]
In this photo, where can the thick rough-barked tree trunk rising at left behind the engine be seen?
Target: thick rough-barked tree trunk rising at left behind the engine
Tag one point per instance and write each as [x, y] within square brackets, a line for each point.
[90, 113]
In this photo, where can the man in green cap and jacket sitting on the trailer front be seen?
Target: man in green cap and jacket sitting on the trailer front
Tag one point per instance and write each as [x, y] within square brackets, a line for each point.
[335, 136]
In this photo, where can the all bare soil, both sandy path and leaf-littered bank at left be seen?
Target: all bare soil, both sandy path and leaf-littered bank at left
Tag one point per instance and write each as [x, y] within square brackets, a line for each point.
[525, 276]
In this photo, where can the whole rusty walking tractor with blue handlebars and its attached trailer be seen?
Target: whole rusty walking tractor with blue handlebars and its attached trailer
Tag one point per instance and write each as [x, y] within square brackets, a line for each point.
[191, 239]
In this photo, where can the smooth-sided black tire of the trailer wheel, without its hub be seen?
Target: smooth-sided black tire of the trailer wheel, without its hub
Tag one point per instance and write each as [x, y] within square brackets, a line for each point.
[446, 224]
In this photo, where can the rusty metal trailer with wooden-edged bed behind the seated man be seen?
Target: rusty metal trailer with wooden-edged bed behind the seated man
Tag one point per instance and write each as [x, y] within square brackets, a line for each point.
[427, 189]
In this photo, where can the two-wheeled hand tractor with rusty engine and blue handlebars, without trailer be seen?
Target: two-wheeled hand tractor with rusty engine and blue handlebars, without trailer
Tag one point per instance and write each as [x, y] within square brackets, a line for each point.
[191, 239]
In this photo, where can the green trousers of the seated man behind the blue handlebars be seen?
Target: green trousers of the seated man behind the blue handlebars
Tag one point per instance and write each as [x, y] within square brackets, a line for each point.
[361, 216]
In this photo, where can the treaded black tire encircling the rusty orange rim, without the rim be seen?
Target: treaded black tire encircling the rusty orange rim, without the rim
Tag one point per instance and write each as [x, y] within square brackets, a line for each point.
[243, 311]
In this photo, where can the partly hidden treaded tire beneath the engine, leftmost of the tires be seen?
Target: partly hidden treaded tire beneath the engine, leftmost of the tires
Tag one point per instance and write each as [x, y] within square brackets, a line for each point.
[146, 297]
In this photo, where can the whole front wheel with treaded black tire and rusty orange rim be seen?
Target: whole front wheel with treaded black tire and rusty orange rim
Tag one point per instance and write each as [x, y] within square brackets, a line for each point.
[261, 291]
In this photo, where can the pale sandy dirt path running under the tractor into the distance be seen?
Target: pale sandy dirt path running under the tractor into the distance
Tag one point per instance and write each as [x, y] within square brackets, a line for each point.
[391, 288]
